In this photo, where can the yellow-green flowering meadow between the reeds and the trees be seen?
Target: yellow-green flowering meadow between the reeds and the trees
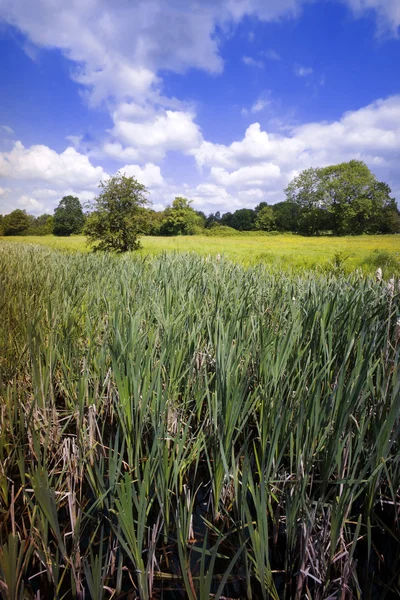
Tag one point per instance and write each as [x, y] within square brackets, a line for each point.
[285, 252]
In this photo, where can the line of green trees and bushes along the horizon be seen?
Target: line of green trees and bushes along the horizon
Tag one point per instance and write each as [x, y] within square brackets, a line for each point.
[340, 199]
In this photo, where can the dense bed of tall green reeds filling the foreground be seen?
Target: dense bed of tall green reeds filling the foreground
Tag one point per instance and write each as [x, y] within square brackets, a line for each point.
[182, 427]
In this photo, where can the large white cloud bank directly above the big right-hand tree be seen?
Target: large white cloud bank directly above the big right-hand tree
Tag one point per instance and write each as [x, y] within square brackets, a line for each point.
[269, 161]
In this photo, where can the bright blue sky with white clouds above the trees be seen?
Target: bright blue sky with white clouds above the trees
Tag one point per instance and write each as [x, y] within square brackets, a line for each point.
[220, 101]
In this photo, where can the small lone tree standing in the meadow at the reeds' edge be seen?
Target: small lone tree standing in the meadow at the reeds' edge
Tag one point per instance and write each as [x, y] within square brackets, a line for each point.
[118, 216]
